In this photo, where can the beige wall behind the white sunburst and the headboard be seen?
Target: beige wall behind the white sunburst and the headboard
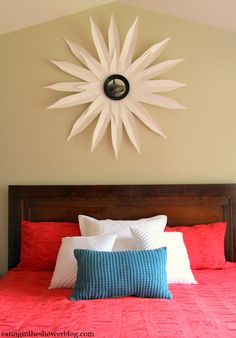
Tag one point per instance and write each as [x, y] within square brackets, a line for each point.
[201, 140]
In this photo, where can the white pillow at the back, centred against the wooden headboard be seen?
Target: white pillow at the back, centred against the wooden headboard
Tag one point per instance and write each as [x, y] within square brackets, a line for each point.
[90, 226]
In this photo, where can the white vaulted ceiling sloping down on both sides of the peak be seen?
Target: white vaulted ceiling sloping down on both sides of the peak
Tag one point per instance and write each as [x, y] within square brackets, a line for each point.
[18, 14]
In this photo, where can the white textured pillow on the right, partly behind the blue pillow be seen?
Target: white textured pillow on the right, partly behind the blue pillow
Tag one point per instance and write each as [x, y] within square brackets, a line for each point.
[178, 265]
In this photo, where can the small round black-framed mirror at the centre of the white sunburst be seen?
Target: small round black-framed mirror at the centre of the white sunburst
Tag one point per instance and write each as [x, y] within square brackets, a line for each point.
[116, 87]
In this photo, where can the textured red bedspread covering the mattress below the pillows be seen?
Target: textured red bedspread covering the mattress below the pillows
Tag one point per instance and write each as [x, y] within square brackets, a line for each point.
[208, 309]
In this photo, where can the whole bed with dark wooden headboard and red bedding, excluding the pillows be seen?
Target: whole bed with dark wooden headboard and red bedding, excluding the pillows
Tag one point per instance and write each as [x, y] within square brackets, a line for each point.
[207, 309]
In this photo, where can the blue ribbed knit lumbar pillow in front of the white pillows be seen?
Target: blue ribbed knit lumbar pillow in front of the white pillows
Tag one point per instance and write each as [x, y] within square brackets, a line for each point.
[121, 273]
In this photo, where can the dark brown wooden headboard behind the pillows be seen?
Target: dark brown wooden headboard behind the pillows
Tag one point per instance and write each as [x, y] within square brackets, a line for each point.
[183, 204]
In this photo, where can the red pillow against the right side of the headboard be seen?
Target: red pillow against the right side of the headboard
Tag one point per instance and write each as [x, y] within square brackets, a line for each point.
[205, 244]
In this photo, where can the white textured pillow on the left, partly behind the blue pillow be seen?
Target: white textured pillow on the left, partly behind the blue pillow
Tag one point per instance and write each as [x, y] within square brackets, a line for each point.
[64, 275]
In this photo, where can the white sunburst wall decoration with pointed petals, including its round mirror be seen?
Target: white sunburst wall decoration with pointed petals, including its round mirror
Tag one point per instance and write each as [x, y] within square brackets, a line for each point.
[116, 86]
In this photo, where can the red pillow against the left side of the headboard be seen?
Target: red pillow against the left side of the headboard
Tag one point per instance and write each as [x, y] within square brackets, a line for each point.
[40, 242]
